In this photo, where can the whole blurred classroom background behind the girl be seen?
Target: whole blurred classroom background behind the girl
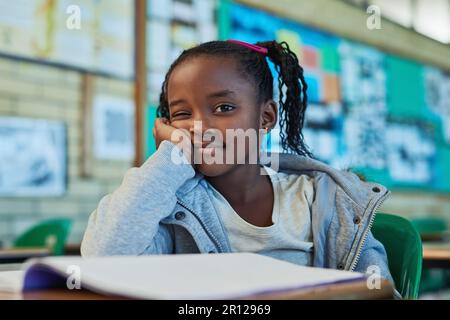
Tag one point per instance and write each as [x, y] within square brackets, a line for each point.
[80, 80]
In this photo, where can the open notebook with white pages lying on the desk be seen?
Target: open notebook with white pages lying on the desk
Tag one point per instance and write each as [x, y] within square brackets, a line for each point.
[190, 276]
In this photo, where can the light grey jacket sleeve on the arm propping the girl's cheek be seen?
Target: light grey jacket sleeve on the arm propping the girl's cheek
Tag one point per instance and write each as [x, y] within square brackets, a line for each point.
[127, 222]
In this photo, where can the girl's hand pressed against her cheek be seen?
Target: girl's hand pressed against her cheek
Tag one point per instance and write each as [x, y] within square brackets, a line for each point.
[180, 137]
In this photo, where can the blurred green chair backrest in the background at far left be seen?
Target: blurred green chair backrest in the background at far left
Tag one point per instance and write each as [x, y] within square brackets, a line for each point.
[51, 233]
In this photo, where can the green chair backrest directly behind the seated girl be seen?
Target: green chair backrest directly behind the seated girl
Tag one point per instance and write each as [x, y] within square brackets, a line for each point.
[404, 250]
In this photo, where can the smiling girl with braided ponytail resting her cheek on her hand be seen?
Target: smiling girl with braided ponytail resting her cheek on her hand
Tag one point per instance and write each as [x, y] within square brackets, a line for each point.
[306, 213]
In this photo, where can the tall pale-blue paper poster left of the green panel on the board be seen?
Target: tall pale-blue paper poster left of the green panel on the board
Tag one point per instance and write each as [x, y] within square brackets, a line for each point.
[363, 85]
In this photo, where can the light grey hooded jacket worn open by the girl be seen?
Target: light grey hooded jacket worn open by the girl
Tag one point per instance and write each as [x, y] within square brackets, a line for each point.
[163, 208]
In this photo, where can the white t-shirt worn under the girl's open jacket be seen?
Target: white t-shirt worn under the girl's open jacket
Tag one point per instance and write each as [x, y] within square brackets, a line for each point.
[289, 237]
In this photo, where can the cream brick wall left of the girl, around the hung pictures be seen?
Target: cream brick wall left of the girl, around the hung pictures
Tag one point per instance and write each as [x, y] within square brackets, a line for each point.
[47, 92]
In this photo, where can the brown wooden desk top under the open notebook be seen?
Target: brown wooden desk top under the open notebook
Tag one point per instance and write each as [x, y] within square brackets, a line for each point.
[356, 290]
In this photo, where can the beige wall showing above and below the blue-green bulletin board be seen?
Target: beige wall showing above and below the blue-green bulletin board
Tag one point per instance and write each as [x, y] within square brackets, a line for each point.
[345, 20]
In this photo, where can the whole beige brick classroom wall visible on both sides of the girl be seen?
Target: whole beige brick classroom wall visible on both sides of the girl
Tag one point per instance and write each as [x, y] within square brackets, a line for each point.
[40, 91]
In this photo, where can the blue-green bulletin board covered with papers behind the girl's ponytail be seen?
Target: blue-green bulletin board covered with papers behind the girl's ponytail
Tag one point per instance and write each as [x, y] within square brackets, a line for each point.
[383, 116]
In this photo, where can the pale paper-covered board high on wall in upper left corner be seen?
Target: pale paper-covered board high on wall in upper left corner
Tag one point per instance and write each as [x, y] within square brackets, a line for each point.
[46, 31]
